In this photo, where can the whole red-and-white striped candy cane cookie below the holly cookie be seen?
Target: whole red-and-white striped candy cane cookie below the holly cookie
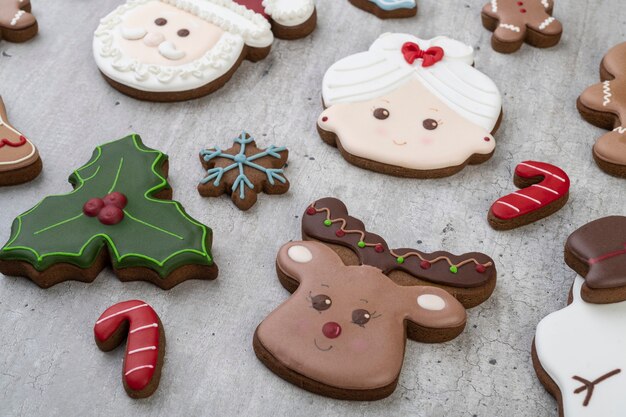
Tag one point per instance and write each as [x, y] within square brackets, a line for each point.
[145, 347]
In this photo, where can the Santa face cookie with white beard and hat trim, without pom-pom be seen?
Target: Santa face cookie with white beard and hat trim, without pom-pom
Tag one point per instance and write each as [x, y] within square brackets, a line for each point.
[162, 50]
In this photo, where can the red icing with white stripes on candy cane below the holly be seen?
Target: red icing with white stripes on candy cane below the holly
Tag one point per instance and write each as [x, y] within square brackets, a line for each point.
[142, 347]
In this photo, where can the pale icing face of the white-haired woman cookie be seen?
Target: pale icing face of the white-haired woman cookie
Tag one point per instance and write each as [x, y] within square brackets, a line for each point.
[409, 127]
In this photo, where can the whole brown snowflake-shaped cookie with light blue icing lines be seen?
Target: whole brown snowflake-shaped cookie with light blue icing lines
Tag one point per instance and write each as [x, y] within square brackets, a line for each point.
[243, 171]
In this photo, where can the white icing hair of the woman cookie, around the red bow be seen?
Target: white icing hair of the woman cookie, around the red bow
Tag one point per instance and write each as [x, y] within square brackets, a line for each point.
[382, 69]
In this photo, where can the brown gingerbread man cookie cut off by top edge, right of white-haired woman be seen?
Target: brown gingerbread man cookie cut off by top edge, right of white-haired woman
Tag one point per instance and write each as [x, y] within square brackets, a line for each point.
[514, 22]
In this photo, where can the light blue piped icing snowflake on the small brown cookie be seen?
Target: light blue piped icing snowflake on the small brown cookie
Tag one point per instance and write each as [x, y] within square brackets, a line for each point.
[240, 161]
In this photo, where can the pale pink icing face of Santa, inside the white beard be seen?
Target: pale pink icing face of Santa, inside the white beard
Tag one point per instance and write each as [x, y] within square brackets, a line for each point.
[160, 34]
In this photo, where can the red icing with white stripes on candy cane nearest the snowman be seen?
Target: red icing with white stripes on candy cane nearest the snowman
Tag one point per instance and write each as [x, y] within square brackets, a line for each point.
[554, 186]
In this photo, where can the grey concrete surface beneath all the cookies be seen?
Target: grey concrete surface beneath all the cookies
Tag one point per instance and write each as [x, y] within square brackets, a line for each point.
[49, 363]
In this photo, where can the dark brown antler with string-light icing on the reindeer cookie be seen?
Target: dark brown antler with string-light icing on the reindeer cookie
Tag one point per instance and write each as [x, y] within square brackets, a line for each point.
[471, 277]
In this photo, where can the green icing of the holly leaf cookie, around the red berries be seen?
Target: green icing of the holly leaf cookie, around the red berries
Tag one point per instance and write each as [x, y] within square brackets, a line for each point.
[154, 233]
